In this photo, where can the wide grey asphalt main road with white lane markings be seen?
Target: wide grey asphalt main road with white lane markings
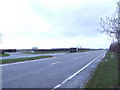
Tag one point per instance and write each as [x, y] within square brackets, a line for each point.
[64, 71]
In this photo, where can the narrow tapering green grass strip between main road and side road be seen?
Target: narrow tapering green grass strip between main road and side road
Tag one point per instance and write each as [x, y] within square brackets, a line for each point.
[22, 59]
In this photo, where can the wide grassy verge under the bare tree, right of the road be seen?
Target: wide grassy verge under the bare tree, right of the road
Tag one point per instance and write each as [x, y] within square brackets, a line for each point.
[106, 74]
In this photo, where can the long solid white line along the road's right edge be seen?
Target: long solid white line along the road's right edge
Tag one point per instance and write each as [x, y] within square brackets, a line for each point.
[57, 86]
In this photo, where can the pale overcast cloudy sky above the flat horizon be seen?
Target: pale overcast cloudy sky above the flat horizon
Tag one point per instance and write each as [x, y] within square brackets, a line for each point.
[54, 23]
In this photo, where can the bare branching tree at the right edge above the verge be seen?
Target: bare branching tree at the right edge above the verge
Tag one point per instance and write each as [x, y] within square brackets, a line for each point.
[111, 26]
